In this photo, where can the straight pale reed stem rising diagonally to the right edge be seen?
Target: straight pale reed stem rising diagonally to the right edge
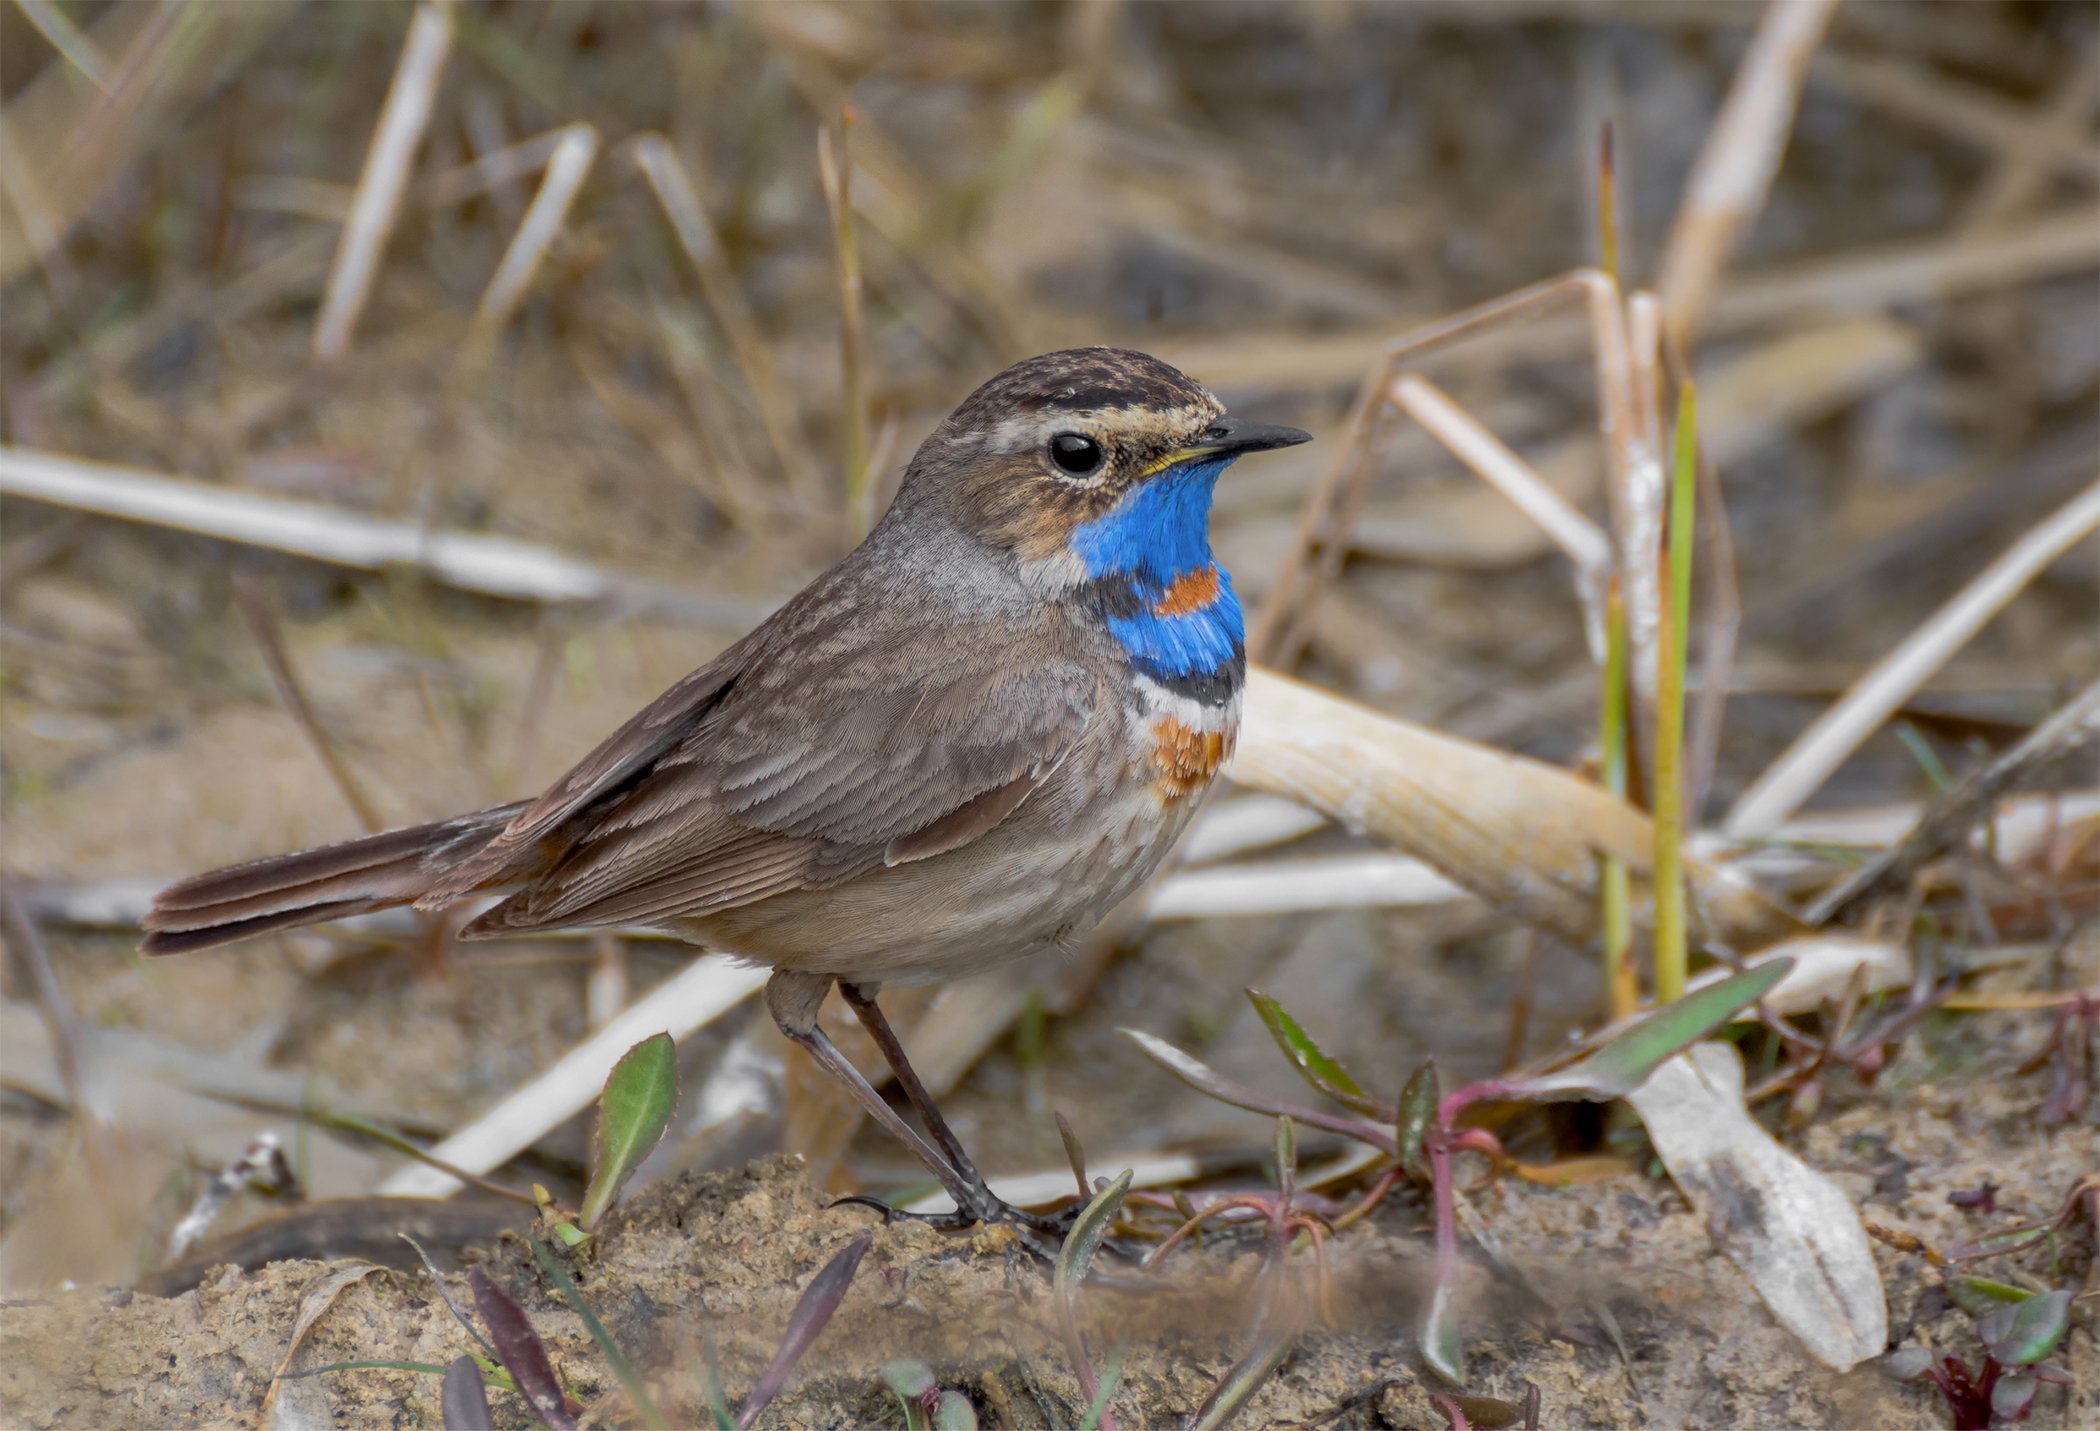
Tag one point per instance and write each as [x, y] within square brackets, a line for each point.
[1862, 711]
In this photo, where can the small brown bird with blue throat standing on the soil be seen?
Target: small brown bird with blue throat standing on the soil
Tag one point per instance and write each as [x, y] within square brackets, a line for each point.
[959, 747]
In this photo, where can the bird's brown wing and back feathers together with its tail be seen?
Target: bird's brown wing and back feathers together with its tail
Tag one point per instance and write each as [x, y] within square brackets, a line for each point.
[736, 785]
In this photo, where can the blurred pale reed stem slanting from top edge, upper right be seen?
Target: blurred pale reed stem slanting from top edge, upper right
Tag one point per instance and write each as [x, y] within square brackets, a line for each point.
[1738, 161]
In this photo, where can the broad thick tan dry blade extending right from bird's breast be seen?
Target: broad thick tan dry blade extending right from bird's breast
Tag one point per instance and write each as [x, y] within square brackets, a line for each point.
[1517, 833]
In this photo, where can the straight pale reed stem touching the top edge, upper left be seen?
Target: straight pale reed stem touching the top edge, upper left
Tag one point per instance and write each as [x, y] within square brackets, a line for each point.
[385, 178]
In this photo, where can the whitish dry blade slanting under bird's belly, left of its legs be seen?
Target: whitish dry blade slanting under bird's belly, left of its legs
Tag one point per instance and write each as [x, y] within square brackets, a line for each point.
[696, 997]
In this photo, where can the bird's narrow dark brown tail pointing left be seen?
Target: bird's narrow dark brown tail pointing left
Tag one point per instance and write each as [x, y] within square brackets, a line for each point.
[356, 877]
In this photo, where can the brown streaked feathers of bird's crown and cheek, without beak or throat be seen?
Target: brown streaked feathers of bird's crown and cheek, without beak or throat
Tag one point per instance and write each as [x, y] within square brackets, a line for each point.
[992, 468]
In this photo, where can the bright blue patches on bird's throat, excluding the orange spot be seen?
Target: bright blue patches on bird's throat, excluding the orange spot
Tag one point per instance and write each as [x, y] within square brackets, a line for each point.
[1156, 535]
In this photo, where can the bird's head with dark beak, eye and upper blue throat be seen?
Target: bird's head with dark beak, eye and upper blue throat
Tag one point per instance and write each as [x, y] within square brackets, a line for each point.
[1087, 463]
